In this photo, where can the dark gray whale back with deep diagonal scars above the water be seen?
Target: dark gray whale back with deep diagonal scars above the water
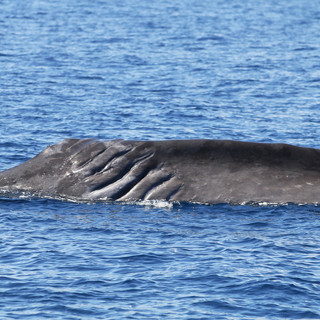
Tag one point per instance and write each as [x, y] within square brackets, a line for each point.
[200, 171]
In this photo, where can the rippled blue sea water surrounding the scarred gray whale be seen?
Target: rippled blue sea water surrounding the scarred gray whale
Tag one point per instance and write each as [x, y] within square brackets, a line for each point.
[241, 70]
